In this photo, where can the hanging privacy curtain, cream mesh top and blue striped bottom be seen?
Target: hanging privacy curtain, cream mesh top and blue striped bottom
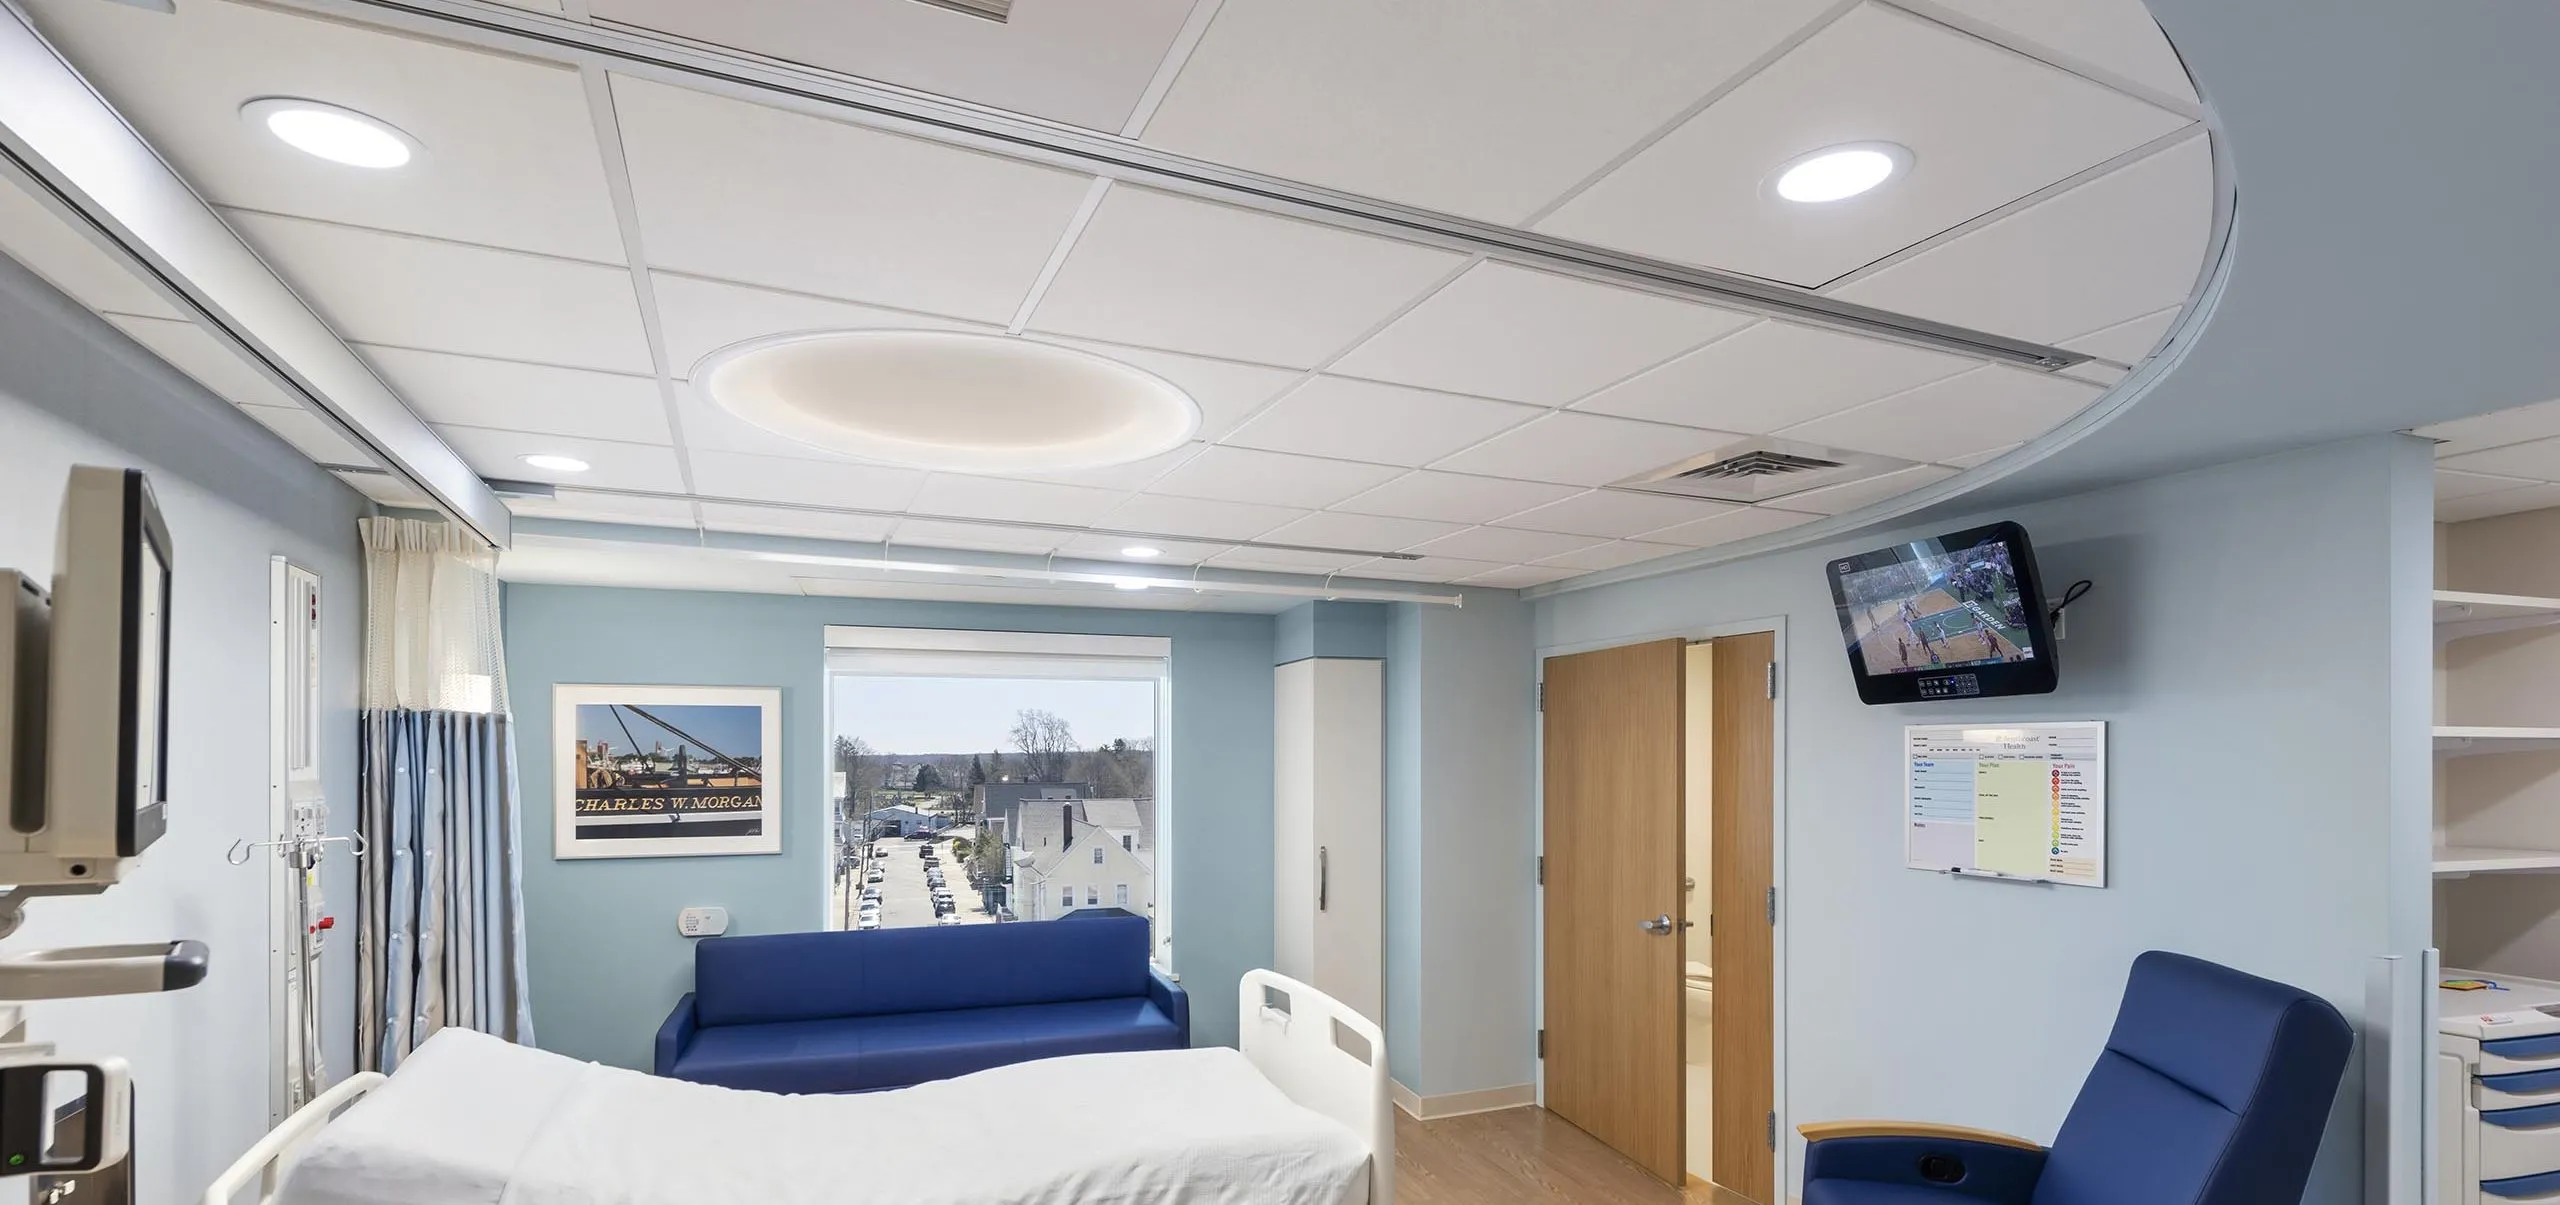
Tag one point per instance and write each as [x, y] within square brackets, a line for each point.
[442, 915]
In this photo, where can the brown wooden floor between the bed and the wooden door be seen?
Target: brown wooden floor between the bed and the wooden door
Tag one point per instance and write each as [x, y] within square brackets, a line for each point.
[1524, 1155]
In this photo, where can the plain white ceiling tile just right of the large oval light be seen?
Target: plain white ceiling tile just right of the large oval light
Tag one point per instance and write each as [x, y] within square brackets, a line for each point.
[1384, 423]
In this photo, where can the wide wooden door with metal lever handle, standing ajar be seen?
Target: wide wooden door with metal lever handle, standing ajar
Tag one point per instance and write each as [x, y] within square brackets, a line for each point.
[1614, 782]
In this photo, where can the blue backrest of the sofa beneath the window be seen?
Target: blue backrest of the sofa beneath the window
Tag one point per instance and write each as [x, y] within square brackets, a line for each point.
[746, 981]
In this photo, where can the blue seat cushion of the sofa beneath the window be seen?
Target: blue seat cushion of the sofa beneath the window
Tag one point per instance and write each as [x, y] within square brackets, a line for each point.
[856, 1055]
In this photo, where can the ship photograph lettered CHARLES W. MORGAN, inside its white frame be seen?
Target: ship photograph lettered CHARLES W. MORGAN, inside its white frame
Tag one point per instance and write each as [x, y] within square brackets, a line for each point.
[667, 771]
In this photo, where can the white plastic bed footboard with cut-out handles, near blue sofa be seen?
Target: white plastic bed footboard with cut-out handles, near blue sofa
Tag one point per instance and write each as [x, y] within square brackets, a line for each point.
[1327, 1058]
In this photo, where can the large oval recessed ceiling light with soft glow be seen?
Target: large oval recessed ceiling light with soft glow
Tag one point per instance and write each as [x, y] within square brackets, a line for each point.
[951, 400]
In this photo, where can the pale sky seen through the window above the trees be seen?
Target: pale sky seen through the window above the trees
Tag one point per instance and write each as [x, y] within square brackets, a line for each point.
[977, 715]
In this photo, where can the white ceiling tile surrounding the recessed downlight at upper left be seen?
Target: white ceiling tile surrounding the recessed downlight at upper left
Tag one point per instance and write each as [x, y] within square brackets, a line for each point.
[508, 147]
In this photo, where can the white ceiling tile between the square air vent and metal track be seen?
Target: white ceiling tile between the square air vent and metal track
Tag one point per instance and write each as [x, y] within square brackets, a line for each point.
[1770, 377]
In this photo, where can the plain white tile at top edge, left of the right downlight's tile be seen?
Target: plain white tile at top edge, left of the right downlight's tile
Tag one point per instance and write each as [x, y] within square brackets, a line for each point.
[1486, 109]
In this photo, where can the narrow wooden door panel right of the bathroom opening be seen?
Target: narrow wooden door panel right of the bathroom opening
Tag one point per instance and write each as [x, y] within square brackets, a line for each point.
[1745, 741]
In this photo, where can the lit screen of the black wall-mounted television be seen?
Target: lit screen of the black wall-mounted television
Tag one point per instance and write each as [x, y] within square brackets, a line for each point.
[1942, 610]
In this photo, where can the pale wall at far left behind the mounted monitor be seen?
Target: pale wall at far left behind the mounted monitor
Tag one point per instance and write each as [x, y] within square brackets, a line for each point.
[73, 390]
